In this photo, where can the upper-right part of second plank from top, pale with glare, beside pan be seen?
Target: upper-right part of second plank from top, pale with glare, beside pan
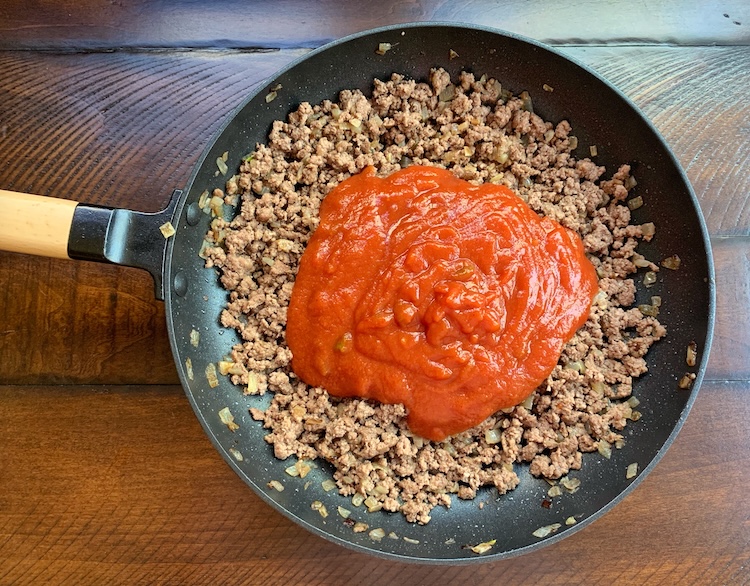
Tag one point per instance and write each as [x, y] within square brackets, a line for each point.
[695, 98]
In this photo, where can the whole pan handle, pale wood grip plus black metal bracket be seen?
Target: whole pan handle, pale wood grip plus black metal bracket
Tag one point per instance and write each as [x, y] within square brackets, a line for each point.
[61, 228]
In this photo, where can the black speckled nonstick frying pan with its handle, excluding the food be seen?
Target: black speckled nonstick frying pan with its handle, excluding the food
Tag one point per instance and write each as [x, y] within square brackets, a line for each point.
[599, 114]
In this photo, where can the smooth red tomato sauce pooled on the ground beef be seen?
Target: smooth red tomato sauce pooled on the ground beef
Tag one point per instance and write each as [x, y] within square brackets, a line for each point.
[453, 299]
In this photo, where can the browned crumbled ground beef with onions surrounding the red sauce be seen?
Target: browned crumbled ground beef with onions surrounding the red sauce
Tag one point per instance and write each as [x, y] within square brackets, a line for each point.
[481, 133]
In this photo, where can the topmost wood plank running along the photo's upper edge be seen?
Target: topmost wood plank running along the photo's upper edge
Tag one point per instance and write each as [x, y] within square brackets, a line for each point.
[101, 24]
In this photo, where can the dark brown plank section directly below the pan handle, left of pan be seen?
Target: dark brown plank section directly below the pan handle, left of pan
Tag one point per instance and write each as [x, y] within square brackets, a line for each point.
[65, 321]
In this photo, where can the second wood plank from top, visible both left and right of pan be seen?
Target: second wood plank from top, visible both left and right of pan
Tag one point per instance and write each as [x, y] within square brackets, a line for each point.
[116, 114]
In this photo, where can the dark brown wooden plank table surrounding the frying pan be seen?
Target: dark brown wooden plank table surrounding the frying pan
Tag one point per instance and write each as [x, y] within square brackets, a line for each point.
[106, 475]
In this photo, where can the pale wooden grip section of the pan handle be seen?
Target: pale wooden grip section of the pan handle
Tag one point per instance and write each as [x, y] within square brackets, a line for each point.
[33, 224]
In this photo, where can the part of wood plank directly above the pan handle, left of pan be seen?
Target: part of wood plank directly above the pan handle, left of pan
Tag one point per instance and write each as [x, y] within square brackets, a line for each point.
[86, 127]
